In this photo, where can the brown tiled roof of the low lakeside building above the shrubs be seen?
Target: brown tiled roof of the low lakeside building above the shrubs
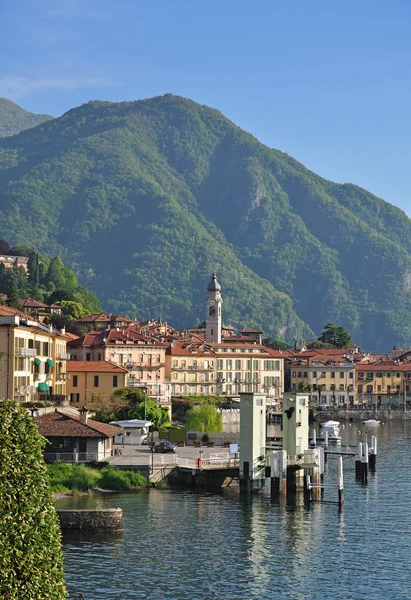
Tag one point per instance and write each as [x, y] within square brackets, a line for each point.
[59, 424]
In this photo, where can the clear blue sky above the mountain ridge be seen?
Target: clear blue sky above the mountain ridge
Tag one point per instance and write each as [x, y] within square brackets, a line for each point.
[328, 82]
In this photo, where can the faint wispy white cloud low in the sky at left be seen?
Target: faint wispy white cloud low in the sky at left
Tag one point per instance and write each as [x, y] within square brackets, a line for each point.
[16, 87]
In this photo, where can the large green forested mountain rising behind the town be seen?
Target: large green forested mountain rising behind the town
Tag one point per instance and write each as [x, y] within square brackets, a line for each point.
[144, 199]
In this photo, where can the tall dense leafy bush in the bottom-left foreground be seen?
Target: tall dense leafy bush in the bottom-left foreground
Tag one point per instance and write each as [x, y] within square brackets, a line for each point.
[31, 560]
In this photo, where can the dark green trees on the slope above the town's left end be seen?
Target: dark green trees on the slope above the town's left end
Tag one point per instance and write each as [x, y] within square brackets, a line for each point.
[48, 280]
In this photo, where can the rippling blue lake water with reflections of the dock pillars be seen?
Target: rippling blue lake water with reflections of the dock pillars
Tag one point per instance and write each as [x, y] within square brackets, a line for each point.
[197, 545]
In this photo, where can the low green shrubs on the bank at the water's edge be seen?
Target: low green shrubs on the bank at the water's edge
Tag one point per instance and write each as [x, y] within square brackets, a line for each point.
[65, 477]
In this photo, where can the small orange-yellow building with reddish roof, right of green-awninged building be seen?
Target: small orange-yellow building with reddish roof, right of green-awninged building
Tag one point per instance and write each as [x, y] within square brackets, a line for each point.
[92, 382]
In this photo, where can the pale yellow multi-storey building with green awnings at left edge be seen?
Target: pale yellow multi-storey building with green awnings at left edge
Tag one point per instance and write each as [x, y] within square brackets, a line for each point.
[32, 359]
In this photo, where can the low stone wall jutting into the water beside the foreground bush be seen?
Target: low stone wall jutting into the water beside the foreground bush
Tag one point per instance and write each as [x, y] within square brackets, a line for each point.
[108, 519]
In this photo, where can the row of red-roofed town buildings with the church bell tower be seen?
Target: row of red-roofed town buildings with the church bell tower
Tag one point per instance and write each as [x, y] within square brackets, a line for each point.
[41, 364]
